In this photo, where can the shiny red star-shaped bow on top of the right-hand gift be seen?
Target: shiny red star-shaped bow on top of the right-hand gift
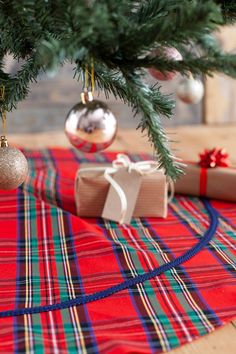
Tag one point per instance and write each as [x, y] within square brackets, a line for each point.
[214, 158]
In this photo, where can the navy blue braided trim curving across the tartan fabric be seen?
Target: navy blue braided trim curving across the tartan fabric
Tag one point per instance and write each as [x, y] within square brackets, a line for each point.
[80, 300]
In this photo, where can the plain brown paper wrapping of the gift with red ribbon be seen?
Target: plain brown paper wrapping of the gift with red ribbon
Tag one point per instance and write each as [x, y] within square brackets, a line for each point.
[220, 183]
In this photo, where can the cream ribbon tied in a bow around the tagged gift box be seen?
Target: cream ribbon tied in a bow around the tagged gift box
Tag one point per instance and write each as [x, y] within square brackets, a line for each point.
[123, 162]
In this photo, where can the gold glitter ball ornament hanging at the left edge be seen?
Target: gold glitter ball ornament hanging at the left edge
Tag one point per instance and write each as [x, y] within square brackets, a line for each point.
[13, 166]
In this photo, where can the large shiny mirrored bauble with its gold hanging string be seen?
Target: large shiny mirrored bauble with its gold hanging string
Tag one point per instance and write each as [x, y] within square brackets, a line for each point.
[90, 125]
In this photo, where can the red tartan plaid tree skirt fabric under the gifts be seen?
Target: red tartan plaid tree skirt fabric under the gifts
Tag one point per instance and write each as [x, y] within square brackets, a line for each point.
[48, 255]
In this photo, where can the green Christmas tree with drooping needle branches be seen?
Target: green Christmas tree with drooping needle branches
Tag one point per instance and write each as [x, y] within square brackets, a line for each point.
[119, 37]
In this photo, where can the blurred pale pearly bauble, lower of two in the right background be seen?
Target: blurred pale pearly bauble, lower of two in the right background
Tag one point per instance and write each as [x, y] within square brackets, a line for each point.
[190, 91]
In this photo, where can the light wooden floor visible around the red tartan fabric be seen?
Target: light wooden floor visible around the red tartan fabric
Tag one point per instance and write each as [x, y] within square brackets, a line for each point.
[192, 140]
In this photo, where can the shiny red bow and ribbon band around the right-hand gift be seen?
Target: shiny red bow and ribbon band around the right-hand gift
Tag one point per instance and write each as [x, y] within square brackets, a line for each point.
[216, 157]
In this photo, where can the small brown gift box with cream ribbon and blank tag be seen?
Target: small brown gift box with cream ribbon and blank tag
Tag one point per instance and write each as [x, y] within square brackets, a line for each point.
[122, 190]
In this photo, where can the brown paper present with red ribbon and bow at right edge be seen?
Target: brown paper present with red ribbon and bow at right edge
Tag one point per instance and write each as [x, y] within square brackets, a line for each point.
[211, 177]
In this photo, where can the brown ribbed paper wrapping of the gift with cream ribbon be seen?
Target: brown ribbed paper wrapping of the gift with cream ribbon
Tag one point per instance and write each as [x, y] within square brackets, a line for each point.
[91, 190]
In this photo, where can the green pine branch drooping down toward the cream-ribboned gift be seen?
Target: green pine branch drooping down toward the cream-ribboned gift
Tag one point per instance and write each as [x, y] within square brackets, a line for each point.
[150, 103]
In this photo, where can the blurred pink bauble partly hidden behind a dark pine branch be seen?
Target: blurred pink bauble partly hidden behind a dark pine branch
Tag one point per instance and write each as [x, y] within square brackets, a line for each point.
[170, 53]
